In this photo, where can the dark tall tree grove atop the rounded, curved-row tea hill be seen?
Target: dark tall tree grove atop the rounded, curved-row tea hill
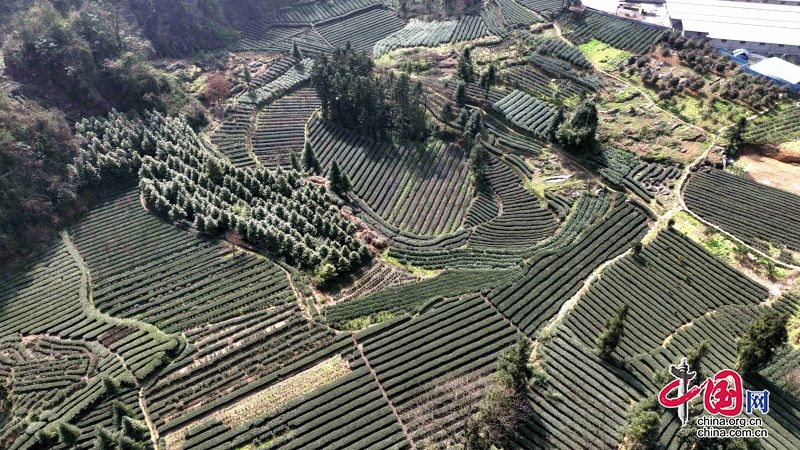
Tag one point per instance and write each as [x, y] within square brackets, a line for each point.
[354, 96]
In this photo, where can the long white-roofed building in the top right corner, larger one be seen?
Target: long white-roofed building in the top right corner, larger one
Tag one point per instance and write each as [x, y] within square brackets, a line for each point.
[761, 27]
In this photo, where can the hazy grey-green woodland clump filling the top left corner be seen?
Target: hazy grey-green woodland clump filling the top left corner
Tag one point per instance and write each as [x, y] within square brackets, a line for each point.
[86, 58]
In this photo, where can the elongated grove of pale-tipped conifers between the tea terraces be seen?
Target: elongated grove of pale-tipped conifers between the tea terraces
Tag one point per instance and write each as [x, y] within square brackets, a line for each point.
[274, 210]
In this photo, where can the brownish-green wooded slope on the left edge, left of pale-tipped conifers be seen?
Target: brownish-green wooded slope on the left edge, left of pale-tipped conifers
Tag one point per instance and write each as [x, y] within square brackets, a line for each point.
[38, 184]
